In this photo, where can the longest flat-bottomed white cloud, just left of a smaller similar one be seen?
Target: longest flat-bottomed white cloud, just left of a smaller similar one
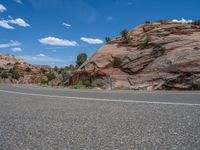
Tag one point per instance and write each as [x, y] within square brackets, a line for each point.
[57, 42]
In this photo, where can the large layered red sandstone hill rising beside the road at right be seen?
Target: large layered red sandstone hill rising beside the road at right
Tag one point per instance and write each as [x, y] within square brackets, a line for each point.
[153, 56]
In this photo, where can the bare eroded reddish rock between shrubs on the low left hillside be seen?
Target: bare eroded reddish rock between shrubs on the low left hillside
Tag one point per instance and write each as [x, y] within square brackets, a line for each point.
[32, 76]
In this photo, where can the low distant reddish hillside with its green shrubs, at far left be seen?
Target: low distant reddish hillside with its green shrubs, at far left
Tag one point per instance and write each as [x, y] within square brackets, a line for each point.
[15, 70]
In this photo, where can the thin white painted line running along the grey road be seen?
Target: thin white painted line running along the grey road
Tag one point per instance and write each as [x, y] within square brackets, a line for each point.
[97, 99]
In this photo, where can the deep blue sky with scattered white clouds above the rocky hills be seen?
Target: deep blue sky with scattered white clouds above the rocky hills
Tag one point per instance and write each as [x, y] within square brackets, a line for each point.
[53, 32]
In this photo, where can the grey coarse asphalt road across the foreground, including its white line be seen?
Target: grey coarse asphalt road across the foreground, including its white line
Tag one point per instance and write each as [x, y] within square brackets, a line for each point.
[43, 118]
